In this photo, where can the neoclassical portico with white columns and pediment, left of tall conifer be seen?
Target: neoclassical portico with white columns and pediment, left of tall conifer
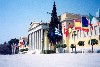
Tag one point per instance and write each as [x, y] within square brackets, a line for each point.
[38, 36]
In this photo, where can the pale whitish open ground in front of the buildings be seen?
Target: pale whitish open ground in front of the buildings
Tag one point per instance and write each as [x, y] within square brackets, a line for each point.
[50, 60]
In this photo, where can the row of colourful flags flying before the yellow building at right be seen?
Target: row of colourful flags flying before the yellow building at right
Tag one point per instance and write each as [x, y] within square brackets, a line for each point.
[81, 25]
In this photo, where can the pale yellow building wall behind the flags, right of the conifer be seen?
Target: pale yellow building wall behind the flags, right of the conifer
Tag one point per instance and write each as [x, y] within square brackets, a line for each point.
[67, 18]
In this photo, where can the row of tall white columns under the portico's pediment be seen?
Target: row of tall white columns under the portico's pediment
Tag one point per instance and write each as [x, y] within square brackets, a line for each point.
[36, 40]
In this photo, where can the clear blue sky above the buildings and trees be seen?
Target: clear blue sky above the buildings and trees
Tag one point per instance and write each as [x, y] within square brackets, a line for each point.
[16, 15]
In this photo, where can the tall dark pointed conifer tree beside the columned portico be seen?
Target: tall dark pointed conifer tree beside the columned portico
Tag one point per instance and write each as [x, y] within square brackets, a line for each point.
[54, 23]
